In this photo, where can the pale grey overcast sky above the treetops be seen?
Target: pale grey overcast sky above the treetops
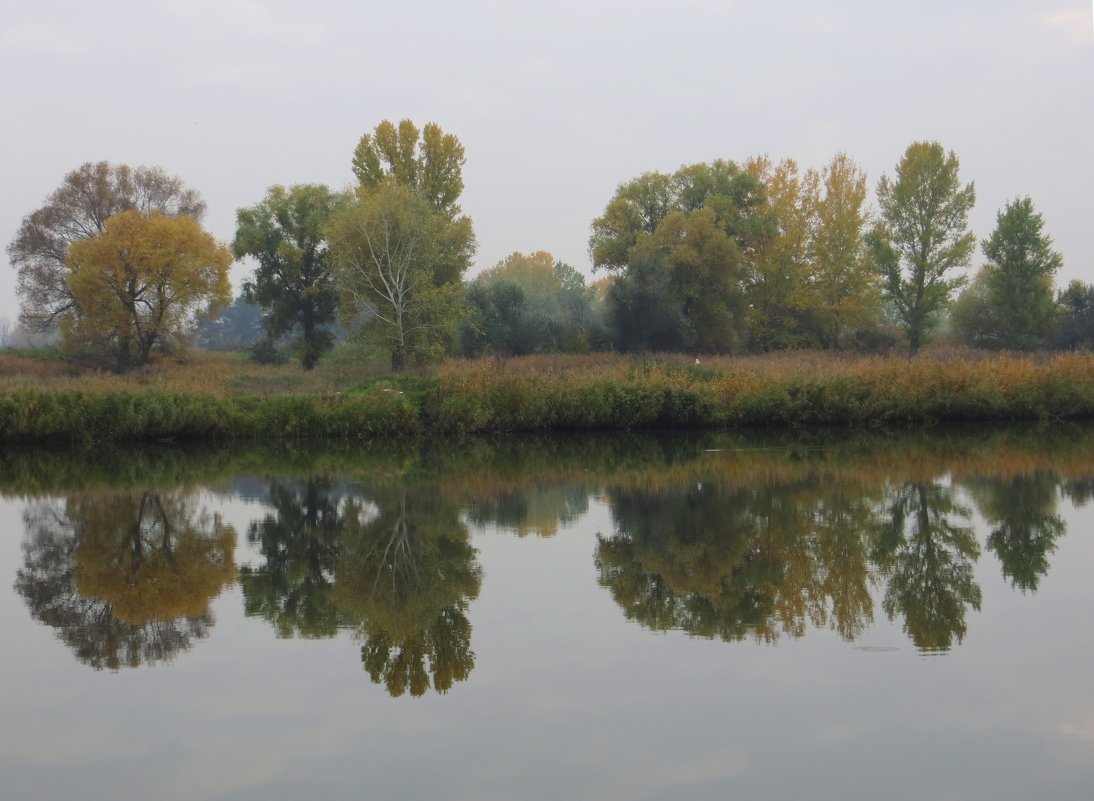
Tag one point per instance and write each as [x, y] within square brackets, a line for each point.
[555, 103]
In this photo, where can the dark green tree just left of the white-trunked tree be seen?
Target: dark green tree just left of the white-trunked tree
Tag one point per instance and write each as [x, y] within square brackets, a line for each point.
[295, 278]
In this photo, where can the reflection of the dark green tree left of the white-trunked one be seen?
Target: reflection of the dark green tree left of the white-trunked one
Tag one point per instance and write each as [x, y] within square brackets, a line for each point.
[299, 540]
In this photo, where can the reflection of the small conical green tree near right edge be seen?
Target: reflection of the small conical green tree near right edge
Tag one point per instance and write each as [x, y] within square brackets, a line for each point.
[1021, 512]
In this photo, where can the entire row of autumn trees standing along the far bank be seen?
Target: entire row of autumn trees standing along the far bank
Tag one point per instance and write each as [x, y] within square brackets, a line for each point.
[718, 258]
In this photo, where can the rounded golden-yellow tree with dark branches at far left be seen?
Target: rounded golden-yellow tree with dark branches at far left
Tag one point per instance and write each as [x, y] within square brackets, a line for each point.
[137, 285]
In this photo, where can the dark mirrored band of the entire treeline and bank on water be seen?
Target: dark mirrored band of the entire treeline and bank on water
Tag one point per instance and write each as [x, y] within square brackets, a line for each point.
[712, 535]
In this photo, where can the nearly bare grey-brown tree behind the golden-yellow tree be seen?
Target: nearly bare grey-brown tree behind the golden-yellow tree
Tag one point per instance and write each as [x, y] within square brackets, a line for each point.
[77, 211]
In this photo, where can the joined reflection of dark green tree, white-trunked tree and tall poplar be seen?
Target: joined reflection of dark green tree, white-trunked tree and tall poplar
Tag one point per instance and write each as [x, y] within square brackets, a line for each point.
[392, 563]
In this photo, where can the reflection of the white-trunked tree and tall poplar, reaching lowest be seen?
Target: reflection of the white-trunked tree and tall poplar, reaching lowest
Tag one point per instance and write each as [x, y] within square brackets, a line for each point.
[408, 575]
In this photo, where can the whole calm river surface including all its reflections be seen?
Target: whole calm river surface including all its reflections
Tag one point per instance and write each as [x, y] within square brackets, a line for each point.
[796, 617]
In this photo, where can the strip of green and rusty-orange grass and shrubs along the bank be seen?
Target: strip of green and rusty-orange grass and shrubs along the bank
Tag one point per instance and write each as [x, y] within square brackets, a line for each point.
[217, 398]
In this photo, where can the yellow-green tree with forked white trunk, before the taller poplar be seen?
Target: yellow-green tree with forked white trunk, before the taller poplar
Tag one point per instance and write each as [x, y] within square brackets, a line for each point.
[394, 259]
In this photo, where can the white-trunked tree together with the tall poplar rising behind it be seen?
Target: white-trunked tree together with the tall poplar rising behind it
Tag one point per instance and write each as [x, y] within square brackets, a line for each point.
[403, 245]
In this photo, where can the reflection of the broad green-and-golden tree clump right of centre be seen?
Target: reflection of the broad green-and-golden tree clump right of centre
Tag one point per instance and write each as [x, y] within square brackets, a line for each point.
[731, 562]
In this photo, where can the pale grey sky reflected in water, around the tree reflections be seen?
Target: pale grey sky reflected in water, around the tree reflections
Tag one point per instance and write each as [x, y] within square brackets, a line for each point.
[569, 700]
